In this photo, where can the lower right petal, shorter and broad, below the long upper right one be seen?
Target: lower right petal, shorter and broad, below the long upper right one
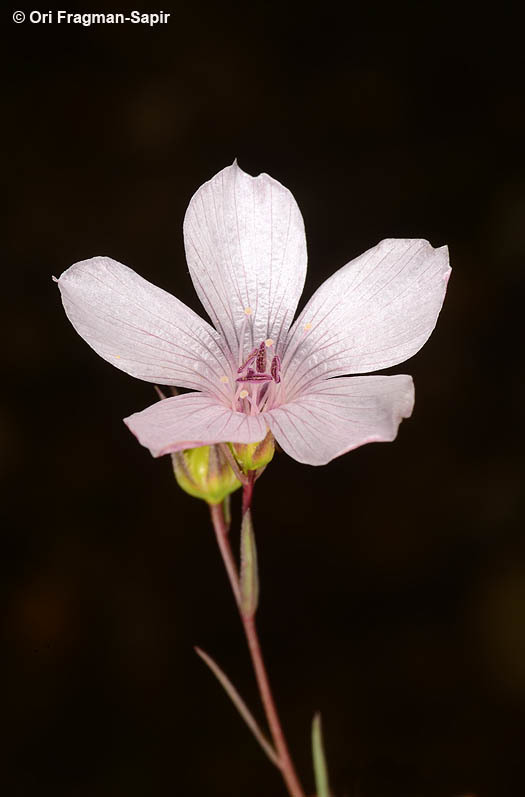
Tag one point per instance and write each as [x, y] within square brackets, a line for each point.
[338, 415]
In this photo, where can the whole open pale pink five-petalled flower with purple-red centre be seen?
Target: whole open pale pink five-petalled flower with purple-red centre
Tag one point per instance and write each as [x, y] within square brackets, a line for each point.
[255, 370]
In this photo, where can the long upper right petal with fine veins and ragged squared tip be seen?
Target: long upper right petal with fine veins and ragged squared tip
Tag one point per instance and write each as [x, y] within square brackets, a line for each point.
[376, 311]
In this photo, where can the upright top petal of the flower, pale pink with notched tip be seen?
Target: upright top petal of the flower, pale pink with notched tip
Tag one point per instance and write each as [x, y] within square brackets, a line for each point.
[246, 251]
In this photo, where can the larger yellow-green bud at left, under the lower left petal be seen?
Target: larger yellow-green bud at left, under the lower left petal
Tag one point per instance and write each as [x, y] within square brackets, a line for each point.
[204, 473]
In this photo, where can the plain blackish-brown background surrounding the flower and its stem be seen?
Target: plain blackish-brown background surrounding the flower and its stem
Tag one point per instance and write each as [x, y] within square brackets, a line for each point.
[393, 579]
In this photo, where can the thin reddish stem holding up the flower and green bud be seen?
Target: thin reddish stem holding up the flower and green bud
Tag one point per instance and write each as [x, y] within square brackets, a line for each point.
[285, 761]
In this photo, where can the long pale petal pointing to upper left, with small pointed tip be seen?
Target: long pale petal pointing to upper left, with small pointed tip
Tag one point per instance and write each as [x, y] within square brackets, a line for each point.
[140, 328]
